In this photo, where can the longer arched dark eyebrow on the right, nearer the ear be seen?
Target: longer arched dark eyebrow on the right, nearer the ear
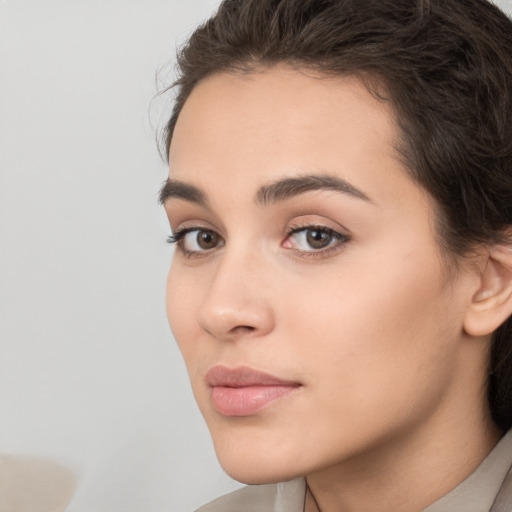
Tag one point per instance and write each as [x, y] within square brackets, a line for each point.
[287, 188]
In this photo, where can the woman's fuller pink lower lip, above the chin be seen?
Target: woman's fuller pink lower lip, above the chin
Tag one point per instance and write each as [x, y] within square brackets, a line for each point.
[246, 401]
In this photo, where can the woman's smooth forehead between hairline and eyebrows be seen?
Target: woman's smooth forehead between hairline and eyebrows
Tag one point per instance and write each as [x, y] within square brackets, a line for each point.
[246, 129]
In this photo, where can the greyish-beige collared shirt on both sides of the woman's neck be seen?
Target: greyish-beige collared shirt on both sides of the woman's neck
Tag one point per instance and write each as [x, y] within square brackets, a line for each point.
[474, 494]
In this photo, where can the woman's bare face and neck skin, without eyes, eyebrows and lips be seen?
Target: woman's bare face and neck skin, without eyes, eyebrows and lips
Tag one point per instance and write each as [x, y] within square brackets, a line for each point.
[391, 412]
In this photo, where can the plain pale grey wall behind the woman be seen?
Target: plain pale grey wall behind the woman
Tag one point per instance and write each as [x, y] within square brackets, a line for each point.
[89, 374]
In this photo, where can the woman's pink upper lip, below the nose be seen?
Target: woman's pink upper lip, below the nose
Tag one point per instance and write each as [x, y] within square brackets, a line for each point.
[243, 377]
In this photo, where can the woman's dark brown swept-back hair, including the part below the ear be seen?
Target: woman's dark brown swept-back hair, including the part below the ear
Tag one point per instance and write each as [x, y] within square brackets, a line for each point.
[445, 66]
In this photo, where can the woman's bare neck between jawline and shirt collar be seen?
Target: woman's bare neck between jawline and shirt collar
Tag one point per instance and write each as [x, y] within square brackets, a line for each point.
[404, 474]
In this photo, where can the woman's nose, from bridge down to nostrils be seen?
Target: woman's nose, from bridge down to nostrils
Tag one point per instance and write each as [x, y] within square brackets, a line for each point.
[238, 302]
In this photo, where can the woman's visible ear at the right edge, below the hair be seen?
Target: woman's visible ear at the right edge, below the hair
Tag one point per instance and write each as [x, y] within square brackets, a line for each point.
[491, 305]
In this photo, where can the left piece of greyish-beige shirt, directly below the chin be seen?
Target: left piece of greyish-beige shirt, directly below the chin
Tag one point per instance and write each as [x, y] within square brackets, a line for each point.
[285, 497]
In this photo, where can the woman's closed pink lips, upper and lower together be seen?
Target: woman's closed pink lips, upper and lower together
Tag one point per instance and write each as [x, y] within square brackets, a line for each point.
[244, 391]
